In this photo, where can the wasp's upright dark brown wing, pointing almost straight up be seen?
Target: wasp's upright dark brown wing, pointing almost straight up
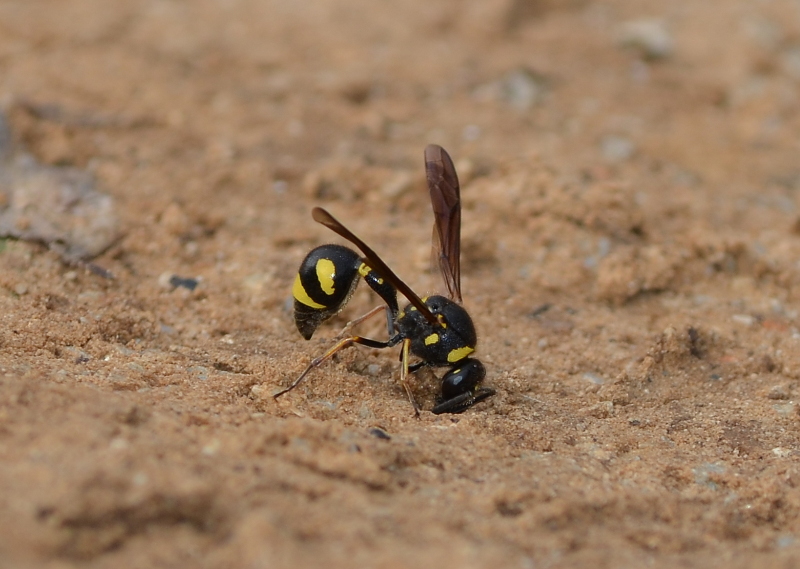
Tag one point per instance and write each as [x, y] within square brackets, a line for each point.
[446, 202]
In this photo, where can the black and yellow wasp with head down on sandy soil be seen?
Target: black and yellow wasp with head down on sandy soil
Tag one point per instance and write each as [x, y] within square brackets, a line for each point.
[435, 329]
